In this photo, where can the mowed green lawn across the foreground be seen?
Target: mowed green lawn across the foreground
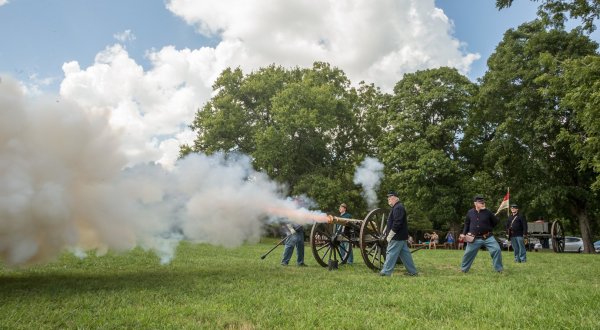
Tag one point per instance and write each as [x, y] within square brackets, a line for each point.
[212, 287]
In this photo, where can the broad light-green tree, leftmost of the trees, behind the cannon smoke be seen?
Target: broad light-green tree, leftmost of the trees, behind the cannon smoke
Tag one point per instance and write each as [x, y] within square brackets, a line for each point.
[306, 128]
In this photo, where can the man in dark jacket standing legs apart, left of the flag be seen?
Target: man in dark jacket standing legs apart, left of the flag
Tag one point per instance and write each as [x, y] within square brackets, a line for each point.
[479, 224]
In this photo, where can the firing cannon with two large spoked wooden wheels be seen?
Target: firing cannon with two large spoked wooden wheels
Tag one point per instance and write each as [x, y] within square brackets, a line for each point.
[326, 239]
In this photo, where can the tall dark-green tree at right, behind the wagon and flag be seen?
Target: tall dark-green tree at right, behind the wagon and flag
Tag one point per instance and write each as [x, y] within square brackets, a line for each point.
[525, 130]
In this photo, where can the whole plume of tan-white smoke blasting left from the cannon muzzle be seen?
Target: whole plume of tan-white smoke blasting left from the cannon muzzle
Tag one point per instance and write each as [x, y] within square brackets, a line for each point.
[64, 184]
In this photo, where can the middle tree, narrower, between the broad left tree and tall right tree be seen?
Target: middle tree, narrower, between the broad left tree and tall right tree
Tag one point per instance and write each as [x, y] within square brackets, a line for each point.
[419, 148]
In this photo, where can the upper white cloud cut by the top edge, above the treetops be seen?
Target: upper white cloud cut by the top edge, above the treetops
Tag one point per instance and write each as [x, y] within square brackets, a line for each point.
[375, 41]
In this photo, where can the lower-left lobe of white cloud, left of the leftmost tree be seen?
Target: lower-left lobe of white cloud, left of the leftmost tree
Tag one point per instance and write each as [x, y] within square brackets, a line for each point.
[151, 108]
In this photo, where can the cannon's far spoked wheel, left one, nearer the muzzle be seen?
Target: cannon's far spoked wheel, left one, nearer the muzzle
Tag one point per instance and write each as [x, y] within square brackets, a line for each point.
[327, 246]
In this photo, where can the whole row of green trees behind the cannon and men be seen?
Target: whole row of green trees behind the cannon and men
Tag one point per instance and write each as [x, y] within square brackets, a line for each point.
[531, 123]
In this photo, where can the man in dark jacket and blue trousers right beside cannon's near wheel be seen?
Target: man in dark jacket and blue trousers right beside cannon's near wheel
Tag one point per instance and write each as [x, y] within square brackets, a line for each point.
[397, 236]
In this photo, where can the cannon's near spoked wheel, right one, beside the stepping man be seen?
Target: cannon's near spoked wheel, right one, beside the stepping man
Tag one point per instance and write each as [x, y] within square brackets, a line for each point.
[372, 242]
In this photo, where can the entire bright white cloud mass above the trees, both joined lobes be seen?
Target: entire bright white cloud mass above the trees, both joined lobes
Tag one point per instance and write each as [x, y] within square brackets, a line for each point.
[374, 41]
